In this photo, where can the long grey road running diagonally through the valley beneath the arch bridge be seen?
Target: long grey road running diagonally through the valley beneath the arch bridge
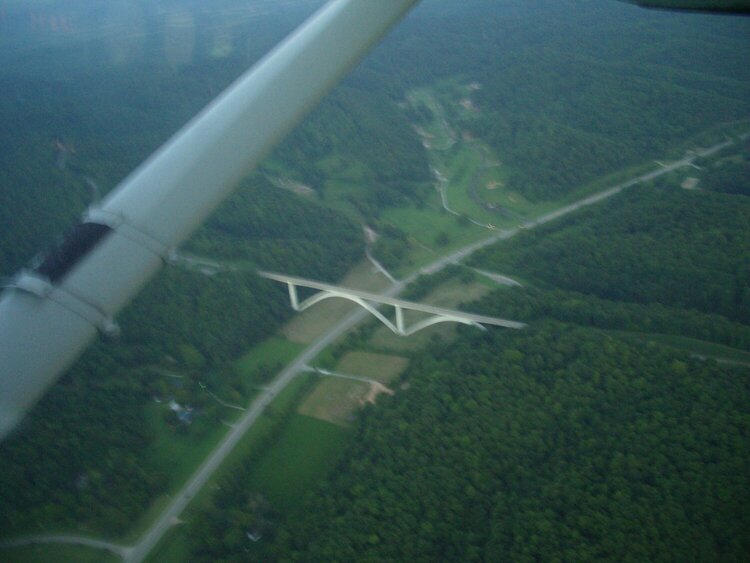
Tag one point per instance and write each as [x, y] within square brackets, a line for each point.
[180, 501]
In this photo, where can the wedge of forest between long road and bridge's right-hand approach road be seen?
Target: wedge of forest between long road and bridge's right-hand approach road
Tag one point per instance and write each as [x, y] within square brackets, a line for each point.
[652, 244]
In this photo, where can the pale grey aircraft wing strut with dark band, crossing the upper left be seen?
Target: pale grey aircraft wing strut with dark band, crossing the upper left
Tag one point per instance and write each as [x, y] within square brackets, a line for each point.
[49, 314]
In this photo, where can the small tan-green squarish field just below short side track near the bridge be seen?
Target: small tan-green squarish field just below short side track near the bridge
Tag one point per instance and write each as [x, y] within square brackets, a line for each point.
[335, 400]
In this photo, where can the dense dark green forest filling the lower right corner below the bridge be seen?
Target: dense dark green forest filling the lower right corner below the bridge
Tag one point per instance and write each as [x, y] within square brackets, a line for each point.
[552, 443]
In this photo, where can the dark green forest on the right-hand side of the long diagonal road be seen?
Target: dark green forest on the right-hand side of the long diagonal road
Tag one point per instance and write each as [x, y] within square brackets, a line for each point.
[577, 439]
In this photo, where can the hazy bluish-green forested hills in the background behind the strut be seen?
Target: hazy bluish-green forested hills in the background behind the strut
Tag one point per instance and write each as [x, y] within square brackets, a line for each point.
[565, 97]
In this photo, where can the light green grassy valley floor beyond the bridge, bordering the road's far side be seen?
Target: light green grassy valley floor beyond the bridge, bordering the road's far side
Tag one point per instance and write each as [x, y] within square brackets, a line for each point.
[433, 231]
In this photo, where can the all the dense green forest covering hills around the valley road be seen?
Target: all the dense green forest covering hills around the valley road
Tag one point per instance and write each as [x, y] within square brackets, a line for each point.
[568, 441]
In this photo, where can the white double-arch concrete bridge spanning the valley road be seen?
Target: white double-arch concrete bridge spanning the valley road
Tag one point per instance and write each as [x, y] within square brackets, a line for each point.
[370, 301]
